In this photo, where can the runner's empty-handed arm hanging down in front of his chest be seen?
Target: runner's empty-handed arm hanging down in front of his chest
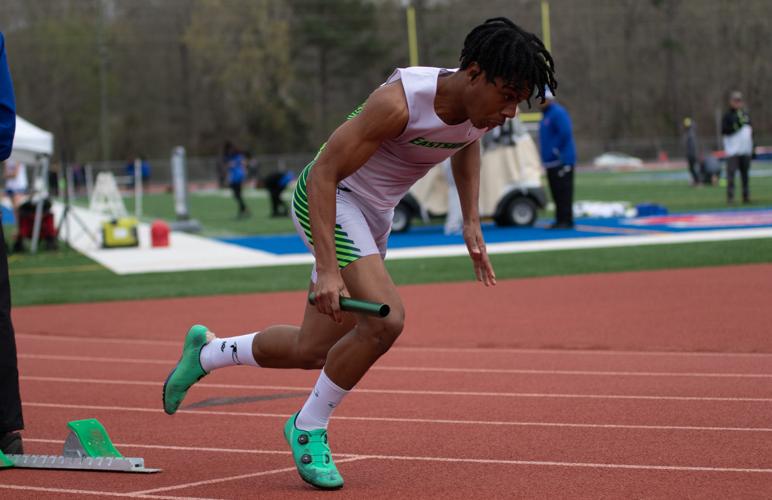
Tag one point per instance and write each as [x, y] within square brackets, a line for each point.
[466, 173]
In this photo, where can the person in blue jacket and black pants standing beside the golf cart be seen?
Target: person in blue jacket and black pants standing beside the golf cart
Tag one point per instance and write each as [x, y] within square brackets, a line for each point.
[558, 154]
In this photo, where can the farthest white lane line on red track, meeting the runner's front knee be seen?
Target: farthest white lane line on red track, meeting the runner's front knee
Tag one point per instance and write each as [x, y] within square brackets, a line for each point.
[461, 350]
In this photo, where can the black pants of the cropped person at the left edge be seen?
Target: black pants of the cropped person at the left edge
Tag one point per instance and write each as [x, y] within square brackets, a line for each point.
[10, 399]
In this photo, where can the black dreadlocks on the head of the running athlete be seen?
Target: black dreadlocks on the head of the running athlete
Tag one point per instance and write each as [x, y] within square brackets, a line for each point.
[503, 49]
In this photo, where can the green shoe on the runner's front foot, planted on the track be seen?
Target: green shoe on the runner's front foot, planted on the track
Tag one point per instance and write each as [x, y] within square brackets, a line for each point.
[312, 456]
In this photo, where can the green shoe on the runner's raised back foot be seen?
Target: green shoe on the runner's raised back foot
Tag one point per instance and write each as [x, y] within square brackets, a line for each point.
[188, 370]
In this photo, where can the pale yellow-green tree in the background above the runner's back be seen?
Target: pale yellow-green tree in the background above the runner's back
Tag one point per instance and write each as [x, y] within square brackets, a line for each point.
[240, 52]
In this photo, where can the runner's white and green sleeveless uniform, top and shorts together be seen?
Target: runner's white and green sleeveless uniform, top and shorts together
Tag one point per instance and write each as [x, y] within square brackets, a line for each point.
[366, 199]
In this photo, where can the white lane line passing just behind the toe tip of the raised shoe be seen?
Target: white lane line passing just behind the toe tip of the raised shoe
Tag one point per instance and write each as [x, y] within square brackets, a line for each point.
[430, 421]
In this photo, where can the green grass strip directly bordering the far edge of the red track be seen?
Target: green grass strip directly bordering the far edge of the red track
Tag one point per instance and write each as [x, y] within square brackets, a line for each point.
[68, 277]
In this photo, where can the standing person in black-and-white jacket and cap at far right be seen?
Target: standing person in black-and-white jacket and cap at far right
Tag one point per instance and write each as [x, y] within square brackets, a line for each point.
[738, 145]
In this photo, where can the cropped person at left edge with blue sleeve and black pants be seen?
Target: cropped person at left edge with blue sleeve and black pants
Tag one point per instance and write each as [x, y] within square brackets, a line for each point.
[10, 399]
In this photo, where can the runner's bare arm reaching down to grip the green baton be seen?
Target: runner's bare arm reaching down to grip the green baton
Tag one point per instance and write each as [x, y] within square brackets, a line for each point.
[384, 117]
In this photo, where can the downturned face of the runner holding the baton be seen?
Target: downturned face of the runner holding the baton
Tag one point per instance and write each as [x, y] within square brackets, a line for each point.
[489, 104]
